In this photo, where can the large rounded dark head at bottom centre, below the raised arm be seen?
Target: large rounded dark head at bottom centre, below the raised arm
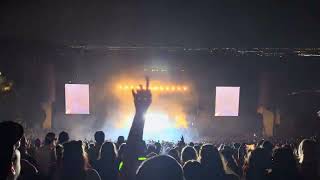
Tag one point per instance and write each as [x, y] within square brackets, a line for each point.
[160, 168]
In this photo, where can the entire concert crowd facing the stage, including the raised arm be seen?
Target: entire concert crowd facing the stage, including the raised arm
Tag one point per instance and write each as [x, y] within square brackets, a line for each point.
[58, 157]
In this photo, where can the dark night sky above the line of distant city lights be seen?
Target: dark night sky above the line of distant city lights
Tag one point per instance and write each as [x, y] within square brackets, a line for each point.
[236, 23]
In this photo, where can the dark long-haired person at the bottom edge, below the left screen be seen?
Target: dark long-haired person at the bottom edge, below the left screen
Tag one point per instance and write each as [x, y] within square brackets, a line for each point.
[75, 164]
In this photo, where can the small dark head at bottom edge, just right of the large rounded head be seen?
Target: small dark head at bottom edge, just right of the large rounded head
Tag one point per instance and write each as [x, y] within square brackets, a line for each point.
[192, 170]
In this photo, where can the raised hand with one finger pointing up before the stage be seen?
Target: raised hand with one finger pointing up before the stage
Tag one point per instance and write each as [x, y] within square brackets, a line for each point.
[142, 98]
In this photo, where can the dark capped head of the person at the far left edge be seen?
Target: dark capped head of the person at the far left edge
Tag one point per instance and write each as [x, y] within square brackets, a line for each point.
[10, 132]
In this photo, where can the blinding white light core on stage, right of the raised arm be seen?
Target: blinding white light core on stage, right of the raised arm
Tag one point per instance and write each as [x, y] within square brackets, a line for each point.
[156, 122]
